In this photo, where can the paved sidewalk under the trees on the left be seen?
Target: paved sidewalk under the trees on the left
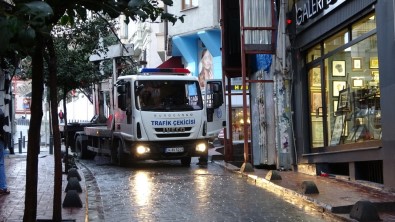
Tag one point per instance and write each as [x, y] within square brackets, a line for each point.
[12, 206]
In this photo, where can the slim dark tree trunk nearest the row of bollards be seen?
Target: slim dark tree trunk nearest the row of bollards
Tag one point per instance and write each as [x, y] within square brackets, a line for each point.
[53, 91]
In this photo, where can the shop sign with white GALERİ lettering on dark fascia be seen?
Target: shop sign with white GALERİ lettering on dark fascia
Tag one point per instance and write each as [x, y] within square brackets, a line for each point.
[309, 9]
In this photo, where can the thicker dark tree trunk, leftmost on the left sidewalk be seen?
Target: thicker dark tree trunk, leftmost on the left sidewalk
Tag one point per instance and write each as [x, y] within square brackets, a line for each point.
[30, 212]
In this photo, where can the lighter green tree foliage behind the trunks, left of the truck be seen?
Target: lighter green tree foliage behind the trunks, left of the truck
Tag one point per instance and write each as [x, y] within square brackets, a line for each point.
[73, 46]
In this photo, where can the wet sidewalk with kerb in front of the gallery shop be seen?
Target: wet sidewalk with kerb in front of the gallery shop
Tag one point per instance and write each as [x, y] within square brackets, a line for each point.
[336, 196]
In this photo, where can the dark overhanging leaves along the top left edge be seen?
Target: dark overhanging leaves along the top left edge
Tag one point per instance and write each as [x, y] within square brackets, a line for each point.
[19, 20]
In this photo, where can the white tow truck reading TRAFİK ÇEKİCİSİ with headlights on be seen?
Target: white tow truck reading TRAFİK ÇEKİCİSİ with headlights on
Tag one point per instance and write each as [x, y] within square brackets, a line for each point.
[157, 114]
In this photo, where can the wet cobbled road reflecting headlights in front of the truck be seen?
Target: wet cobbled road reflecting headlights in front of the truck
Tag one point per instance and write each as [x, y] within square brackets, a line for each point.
[166, 191]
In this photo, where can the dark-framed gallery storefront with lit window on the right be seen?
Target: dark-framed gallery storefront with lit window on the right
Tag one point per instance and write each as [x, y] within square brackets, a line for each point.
[339, 89]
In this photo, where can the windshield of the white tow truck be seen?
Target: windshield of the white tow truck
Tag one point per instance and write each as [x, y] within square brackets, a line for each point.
[168, 95]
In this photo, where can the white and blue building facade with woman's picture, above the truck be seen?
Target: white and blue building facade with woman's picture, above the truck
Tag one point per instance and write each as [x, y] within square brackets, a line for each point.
[198, 39]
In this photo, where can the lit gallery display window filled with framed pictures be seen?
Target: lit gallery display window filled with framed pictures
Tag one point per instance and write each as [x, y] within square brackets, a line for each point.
[344, 92]
